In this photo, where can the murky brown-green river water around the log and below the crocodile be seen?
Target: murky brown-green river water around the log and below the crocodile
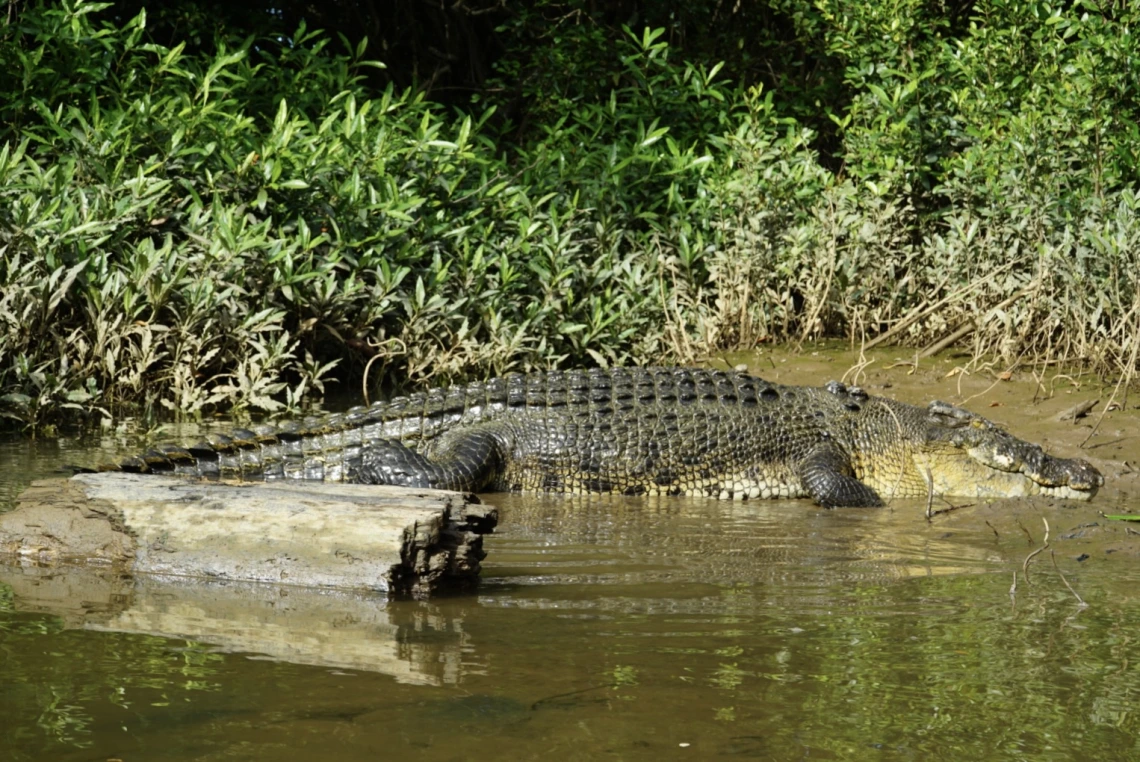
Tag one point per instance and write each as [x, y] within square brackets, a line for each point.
[612, 629]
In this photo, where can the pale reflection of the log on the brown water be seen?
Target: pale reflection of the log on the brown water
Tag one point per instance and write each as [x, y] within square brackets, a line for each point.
[414, 644]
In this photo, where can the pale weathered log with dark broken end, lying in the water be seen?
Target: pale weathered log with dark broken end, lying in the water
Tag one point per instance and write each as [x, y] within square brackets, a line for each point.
[402, 541]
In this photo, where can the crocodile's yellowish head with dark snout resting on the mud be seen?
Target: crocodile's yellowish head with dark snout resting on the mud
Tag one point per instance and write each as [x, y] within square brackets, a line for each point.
[965, 455]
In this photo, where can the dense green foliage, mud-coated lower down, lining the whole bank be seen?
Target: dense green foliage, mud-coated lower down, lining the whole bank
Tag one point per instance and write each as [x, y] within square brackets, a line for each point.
[233, 222]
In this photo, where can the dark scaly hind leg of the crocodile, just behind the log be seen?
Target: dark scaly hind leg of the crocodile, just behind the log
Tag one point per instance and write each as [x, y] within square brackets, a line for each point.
[466, 461]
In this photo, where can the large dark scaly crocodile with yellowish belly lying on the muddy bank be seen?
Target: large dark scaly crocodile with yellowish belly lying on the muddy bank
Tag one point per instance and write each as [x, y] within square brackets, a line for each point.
[645, 432]
